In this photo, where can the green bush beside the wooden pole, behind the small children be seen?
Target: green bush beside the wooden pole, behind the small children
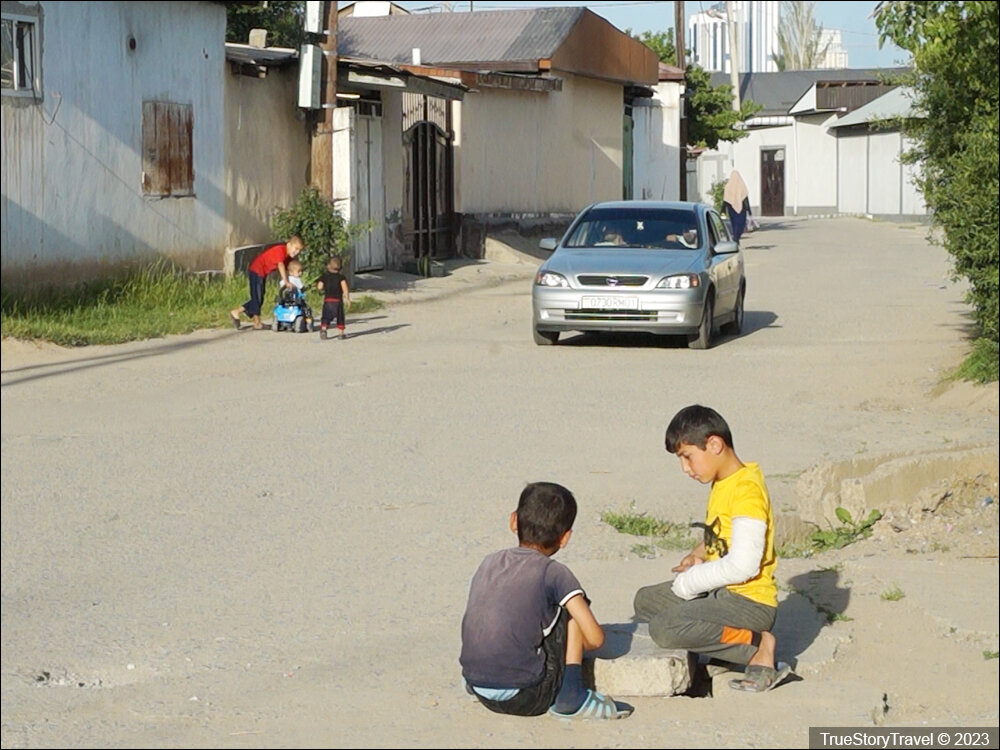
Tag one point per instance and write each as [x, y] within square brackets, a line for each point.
[322, 228]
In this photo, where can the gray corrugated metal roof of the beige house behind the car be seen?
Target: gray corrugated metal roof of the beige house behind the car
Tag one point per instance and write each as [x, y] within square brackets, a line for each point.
[454, 39]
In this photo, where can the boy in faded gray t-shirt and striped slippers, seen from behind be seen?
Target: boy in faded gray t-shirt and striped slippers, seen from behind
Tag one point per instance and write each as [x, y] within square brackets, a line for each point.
[528, 621]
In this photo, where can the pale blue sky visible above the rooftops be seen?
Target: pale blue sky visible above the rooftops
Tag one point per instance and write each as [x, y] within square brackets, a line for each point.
[859, 36]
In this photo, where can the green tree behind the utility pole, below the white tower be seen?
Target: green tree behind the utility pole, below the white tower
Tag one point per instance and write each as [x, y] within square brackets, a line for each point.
[710, 114]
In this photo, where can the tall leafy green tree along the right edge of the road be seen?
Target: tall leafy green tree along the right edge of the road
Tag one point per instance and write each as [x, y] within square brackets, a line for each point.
[956, 78]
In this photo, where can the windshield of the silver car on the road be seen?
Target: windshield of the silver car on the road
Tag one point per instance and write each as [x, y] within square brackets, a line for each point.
[637, 228]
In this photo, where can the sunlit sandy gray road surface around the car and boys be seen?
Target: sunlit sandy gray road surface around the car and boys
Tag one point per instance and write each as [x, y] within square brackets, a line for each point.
[251, 539]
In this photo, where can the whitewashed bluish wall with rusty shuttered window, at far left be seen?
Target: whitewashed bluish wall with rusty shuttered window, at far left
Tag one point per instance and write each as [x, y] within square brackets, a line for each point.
[113, 142]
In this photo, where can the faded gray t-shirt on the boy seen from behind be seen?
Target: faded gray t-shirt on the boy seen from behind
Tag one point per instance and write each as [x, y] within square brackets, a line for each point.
[515, 599]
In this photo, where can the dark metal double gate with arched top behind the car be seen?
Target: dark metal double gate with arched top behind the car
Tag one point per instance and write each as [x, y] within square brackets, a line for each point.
[428, 206]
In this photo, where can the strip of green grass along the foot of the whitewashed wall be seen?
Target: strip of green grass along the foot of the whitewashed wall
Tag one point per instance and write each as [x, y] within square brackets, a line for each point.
[155, 301]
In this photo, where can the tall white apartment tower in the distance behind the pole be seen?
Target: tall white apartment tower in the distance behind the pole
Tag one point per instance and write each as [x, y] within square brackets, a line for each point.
[756, 36]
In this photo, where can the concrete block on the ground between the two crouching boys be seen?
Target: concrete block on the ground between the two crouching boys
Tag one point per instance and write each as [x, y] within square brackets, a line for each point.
[630, 664]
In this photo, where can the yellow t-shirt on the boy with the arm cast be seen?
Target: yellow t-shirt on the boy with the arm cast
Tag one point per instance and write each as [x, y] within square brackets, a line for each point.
[743, 493]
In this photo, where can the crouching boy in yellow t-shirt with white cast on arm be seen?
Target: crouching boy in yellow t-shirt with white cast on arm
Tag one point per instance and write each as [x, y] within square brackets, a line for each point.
[724, 600]
